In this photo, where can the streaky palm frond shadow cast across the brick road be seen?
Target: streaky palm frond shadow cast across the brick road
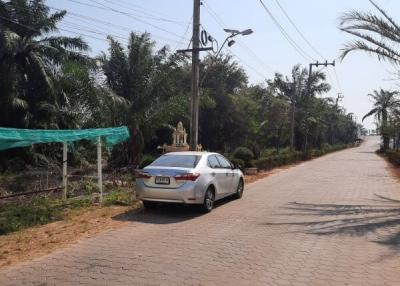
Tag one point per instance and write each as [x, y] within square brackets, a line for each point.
[379, 221]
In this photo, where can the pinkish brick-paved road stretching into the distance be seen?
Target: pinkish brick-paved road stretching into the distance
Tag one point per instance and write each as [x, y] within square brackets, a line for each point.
[331, 221]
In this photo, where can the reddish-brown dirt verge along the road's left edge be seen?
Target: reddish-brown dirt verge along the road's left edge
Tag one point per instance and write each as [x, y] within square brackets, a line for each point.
[78, 224]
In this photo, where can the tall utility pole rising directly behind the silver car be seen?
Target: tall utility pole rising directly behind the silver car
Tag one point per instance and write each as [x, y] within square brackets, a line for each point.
[194, 119]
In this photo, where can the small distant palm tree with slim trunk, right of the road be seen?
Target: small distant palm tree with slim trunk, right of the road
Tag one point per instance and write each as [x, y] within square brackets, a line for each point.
[384, 102]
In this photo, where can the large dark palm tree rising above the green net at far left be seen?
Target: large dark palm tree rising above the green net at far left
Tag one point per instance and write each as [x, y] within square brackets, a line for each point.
[30, 53]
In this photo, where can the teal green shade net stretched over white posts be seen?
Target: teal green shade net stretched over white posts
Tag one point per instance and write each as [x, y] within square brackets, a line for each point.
[12, 137]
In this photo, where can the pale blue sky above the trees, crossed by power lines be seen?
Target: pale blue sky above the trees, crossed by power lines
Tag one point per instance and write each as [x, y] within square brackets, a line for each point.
[261, 54]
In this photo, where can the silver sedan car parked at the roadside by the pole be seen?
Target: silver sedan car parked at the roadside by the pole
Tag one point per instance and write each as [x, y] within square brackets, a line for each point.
[190, 178]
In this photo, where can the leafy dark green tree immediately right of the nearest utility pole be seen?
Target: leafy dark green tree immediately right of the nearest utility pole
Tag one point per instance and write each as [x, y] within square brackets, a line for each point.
[221, 124]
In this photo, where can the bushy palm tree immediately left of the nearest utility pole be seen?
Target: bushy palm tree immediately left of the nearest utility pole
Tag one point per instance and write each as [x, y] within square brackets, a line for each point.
[153, 86]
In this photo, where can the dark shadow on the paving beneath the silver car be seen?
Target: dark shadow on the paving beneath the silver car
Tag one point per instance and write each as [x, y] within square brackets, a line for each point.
[166, 213]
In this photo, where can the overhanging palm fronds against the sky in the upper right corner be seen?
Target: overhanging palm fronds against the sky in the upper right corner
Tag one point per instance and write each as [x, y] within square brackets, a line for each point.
[377, 34]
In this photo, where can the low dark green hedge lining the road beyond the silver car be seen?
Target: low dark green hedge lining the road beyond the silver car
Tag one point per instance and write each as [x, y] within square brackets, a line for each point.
[293, 157]
